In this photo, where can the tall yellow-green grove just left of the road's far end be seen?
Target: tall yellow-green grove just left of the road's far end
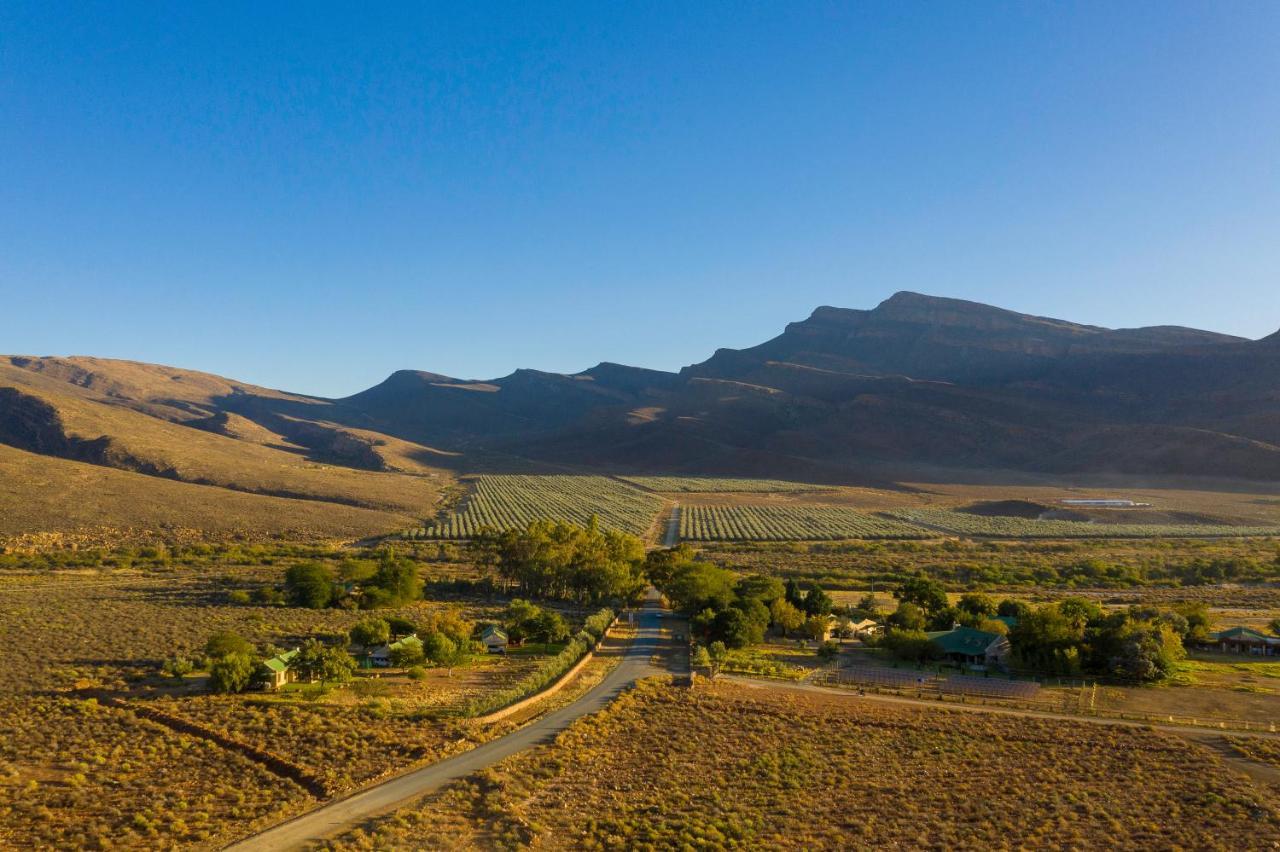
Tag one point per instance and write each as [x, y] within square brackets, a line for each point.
[564, 561]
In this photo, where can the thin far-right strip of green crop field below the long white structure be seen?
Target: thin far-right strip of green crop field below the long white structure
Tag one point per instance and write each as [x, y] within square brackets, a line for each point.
[1004, 528]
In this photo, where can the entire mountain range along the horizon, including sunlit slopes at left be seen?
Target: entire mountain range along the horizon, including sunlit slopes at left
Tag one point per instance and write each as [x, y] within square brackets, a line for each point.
[917, 381]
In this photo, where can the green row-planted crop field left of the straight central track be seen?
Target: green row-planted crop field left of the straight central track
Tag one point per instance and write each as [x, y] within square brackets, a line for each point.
[513, 502]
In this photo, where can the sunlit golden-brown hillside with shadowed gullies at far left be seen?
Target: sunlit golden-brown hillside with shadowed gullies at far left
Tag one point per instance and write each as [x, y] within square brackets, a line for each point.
[93, 446]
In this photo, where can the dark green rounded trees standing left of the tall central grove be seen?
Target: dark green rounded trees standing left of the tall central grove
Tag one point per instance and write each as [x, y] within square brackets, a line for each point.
[359, 584]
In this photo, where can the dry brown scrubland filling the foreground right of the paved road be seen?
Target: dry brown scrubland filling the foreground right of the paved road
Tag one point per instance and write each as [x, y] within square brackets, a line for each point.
[732, 767]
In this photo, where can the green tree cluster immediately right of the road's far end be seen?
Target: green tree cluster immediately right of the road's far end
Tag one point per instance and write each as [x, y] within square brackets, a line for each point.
[737, 611]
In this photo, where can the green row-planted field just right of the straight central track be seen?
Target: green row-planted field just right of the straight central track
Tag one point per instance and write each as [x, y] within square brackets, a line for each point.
[789, 524]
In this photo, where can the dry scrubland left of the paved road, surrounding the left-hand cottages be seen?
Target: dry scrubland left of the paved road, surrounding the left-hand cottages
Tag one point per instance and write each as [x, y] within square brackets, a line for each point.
[76, 772]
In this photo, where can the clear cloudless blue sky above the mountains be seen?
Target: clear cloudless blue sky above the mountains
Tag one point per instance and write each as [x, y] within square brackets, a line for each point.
[310, 196]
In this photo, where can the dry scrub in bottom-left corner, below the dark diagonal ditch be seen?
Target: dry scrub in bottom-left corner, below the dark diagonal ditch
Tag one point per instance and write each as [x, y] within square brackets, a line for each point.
[75, 775]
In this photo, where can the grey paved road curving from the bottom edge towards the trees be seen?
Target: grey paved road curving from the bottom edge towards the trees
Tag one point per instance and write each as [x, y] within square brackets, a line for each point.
[340, 816]
